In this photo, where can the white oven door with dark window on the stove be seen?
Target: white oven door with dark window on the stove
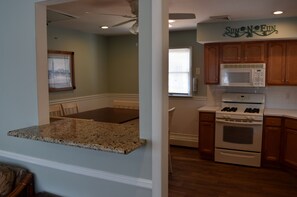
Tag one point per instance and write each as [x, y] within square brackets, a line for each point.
[245, 136]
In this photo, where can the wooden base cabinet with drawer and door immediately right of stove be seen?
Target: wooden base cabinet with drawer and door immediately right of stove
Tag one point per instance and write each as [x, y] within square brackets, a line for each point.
[271, 145]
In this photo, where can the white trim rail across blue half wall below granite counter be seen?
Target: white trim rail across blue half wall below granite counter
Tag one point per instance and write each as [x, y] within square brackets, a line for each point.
[138, 182]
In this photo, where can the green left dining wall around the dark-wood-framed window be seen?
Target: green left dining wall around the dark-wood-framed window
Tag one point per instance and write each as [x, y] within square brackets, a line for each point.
[90, 60]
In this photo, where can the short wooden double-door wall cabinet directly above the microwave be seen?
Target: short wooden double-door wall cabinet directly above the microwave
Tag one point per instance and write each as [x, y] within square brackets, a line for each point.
[243, 52]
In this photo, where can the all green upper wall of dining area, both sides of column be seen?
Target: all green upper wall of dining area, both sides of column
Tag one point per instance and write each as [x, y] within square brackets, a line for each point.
[109, 64]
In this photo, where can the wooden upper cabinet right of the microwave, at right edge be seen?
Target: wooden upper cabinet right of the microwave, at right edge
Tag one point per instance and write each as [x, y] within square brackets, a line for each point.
[282, 63]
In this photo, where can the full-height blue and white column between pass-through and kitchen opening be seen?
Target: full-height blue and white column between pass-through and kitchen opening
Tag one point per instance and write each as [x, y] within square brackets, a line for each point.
[153, 74]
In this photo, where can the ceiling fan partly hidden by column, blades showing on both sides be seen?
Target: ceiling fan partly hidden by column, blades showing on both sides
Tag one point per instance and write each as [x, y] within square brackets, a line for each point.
[134, 10]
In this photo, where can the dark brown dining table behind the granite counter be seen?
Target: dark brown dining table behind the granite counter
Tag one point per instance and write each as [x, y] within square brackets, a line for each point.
[108, 114]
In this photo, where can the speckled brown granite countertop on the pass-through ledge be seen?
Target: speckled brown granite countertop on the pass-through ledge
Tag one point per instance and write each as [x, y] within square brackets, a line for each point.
[118, 138]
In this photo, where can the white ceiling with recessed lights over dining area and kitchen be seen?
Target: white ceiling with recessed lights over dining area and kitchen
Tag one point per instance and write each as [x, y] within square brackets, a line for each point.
[91, 14]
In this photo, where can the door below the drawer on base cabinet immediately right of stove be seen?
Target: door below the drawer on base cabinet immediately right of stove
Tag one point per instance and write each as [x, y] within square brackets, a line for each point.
[271, 146]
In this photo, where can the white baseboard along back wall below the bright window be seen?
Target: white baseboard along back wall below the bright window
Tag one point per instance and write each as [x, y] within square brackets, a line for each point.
[181, 139]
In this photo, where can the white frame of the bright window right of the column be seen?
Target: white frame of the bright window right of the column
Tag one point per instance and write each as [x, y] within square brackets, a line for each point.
[190, 92]
